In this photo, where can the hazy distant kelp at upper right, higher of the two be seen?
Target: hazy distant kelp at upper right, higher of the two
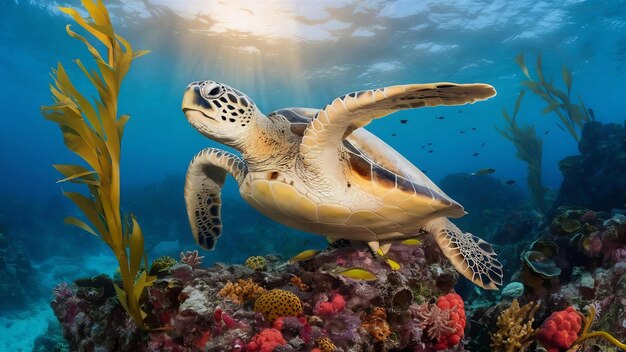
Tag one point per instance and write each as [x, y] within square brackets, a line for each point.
[572, 116]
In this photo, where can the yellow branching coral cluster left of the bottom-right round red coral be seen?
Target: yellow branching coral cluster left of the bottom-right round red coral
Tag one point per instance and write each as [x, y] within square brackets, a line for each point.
[514, 327]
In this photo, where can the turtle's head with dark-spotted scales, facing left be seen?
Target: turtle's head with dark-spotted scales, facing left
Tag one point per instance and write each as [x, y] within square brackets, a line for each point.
[219, 112]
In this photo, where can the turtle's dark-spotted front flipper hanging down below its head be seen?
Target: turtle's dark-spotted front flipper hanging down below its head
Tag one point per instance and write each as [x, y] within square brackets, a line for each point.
[205, 177]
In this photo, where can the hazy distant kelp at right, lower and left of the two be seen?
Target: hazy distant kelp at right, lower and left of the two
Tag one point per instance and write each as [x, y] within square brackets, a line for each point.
[529, 147]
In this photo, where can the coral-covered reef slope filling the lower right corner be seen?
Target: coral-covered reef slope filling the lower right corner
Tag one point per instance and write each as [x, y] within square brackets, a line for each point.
[588, 249]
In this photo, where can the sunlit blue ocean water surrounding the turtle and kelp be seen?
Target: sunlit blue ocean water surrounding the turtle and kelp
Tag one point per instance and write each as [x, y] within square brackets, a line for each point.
[283, 54]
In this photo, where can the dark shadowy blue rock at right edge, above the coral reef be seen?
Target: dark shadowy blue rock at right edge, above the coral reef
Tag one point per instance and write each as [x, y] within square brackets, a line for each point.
[595, 178]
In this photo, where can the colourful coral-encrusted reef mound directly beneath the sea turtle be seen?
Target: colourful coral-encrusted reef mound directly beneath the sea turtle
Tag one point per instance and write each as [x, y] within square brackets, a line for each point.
[325, 310]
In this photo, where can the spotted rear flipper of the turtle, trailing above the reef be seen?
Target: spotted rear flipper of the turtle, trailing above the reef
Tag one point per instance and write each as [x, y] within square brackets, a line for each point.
[470, 256]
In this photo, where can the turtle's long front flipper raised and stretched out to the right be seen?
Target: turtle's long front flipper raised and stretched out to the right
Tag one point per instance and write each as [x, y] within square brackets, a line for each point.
[324, 135]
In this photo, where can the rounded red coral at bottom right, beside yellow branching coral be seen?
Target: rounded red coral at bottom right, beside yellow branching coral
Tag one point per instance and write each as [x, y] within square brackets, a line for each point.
[560, 330]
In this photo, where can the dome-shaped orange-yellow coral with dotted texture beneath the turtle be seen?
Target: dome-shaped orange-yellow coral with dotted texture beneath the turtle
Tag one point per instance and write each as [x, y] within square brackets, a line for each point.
[278, 303]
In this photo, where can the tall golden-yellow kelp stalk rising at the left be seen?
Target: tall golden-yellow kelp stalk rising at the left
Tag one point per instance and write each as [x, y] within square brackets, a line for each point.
[94, 132]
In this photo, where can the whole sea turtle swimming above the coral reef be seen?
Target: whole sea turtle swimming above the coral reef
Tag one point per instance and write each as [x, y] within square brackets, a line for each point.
[320, 171]
